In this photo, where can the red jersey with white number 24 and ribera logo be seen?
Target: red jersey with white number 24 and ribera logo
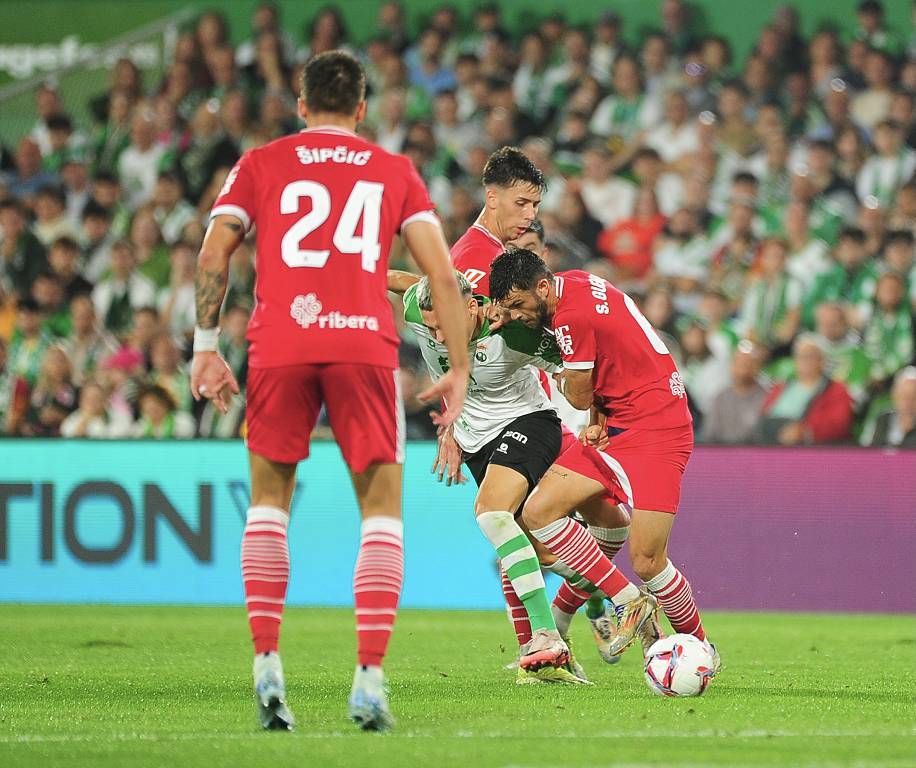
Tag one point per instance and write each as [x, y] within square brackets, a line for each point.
[327, 205]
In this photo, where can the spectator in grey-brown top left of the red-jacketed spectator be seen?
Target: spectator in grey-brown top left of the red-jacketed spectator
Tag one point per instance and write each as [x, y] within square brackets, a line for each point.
[734, 413]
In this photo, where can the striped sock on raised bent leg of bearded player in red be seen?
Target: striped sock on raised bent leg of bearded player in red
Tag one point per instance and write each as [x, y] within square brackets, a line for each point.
[578, 550]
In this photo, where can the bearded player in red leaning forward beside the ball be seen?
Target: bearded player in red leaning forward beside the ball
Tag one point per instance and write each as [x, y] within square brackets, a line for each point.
[636, 449]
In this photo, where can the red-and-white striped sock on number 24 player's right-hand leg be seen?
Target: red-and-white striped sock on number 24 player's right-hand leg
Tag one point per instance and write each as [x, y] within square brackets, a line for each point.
[377, 584]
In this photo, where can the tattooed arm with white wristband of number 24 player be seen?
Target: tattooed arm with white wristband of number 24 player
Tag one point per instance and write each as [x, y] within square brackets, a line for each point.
[211, 376]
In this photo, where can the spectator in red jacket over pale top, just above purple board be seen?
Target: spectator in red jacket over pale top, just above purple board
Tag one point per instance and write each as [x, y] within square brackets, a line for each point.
[809, 407]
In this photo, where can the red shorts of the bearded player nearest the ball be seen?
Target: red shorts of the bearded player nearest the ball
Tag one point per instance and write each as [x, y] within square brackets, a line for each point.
[640, 467]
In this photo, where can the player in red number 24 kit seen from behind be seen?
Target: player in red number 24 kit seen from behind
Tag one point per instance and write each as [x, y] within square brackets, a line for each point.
[327, 205]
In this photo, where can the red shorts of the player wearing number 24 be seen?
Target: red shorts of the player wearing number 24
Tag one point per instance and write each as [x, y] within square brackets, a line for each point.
[363, 404]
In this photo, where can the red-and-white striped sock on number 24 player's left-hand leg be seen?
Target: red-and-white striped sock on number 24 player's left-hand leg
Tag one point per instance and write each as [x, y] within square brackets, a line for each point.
[265, 573]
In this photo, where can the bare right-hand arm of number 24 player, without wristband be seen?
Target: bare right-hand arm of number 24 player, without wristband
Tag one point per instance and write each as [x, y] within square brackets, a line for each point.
[427, 245]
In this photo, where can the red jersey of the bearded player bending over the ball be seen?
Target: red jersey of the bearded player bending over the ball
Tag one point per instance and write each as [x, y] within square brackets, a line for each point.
[599, 327]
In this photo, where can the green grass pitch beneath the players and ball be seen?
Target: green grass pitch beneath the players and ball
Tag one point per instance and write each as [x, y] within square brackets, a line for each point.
[113, 687]
